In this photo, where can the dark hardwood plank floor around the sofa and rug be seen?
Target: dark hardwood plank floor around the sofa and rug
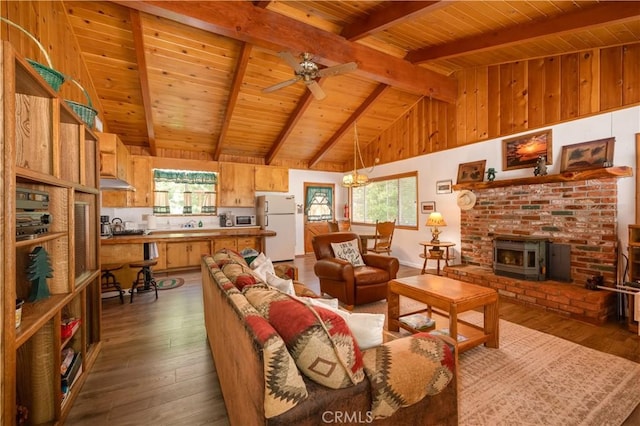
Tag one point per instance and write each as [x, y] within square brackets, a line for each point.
[155, 367]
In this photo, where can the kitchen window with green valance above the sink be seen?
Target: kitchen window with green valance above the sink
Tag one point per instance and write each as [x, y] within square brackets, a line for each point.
[184, 192]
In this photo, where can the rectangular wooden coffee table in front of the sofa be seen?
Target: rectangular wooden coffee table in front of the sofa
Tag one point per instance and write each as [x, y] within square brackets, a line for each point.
[445, 299]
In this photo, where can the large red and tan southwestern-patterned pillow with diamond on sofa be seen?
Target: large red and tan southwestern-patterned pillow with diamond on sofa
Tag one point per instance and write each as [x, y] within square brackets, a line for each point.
[319, 340]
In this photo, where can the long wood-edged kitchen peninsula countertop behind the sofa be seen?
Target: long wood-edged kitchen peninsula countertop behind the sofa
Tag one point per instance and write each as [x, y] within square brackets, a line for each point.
[187, 235]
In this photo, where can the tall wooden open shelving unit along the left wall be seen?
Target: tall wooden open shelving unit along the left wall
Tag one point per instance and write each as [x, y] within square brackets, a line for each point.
[53, 154]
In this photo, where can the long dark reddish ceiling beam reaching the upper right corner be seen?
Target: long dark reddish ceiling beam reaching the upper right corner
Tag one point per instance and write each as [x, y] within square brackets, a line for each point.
[603, 13]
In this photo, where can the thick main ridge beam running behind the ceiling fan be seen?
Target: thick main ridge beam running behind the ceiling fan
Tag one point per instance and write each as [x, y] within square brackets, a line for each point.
[243, 21]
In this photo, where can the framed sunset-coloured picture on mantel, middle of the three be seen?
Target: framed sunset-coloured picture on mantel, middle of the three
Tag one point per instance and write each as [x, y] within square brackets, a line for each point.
[523, 151]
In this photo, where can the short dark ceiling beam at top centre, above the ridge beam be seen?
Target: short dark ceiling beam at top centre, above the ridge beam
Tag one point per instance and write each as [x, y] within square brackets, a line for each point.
[395, 13]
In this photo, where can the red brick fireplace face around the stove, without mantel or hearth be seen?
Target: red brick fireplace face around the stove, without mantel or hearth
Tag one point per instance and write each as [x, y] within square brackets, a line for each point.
[581, 214]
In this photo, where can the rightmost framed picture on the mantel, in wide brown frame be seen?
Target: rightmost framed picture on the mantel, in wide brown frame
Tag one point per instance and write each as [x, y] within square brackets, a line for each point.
[587, 155]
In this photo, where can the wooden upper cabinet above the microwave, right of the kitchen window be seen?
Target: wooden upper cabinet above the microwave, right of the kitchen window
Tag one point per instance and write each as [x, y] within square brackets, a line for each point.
[236, 185]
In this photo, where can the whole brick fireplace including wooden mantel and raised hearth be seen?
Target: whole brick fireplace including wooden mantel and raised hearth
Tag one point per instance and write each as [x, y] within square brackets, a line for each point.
[580, 214]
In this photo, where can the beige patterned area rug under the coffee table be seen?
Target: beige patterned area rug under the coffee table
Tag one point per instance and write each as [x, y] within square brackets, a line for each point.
[538, 379]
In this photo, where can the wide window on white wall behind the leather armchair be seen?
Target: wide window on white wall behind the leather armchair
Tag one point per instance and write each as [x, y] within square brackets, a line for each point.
[387, 198]
